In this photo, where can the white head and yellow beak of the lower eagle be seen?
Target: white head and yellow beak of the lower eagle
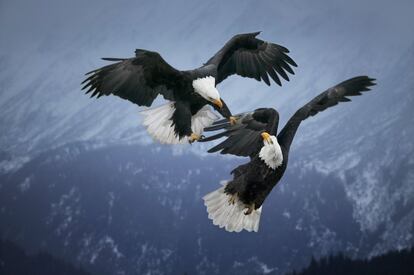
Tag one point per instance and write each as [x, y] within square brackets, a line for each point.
[271, 153]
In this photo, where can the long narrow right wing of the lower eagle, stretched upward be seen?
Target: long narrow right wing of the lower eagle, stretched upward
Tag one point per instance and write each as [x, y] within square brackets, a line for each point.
[331, 97]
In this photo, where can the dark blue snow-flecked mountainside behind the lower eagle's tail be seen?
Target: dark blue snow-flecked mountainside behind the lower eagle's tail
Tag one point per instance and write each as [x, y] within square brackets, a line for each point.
[137, 209]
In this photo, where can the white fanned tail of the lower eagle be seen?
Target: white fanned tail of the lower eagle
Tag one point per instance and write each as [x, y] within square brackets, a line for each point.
[229, 215]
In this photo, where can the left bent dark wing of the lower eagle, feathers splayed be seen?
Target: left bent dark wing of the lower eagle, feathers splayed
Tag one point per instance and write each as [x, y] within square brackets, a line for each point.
[243, 138]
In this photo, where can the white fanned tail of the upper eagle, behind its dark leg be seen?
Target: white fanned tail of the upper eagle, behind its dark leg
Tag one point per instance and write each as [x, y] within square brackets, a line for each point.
[159, 124]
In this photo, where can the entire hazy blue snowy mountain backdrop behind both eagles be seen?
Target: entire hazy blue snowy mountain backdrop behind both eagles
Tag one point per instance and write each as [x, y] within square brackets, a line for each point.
[81, 179]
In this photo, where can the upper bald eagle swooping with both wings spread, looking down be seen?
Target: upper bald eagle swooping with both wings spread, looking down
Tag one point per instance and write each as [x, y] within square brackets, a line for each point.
[142, 78]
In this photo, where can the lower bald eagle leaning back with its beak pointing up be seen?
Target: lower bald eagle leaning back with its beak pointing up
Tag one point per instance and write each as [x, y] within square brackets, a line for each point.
[238, 204]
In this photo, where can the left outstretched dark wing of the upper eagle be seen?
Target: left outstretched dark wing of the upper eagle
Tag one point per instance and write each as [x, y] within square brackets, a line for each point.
[140, 79]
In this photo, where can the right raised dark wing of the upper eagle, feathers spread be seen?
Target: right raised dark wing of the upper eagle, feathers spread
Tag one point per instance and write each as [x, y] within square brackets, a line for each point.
[248, 56]
